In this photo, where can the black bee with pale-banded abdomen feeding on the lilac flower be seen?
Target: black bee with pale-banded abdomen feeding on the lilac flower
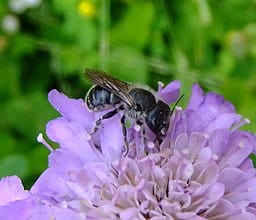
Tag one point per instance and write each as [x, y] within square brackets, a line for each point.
[138, 103]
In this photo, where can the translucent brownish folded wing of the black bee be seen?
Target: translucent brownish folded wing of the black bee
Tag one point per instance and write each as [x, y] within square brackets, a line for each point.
[117, 87]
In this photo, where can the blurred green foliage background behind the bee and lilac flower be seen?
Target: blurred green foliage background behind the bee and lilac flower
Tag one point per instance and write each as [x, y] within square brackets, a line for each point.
[48, 44]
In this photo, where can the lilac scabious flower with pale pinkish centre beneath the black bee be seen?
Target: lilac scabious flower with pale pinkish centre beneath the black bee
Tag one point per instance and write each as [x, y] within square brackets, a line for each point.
[201, 170]
